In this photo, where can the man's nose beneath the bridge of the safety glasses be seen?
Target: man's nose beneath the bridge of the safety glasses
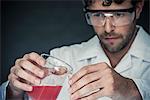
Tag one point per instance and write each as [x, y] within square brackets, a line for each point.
[109, 27]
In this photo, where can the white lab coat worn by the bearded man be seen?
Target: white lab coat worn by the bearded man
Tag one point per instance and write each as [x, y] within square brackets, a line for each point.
[135, 64]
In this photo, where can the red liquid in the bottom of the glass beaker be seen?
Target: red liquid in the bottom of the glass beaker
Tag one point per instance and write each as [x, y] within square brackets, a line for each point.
[44, 92]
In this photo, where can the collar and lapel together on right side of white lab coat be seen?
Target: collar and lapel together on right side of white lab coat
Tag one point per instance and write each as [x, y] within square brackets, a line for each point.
[139, 49]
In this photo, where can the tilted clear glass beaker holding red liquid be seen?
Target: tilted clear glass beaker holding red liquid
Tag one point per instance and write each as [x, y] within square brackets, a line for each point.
[56, 71]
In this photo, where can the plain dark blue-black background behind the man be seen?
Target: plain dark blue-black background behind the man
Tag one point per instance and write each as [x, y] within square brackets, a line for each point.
[39, 26]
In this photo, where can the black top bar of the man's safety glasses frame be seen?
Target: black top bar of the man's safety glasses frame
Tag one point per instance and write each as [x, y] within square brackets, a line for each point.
[111, 10]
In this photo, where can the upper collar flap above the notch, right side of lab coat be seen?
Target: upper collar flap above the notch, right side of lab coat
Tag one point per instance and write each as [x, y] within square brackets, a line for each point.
[141, 45]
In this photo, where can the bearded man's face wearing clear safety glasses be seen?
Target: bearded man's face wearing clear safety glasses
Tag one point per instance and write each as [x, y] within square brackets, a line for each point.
[114, 24]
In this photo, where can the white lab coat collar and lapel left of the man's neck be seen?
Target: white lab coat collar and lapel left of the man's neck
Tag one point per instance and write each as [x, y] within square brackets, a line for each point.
[92, 49]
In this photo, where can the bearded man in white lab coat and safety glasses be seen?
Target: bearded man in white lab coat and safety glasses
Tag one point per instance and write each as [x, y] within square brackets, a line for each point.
[115, 64]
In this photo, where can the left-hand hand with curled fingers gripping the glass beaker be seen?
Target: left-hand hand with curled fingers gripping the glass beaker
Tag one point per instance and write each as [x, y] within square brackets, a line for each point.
[26, 71]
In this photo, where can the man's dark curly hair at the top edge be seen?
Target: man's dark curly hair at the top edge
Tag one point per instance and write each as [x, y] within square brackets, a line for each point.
[87, 3]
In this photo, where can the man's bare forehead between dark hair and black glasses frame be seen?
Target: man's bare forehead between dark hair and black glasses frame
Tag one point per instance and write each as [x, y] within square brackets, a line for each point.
[97, 5]
